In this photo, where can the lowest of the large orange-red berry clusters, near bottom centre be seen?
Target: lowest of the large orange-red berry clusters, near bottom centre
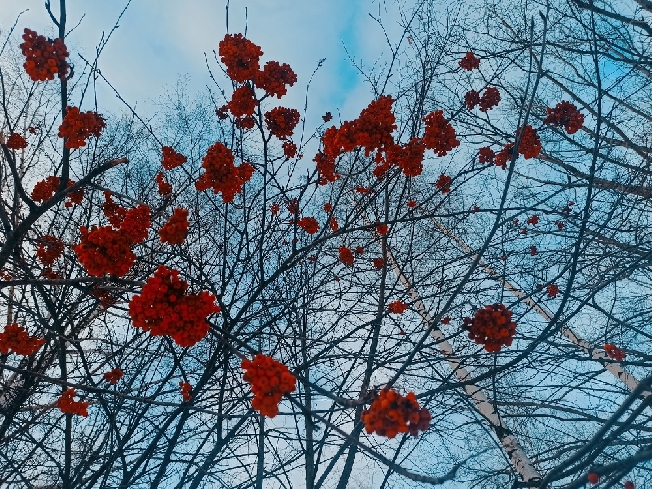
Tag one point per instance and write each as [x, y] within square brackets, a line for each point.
[391, 414]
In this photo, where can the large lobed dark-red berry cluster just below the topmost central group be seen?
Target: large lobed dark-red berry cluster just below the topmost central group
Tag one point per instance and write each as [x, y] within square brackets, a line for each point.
[221, 174]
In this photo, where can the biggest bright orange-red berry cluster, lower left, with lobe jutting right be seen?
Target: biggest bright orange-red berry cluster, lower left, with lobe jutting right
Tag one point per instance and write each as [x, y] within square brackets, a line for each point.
[164, 308]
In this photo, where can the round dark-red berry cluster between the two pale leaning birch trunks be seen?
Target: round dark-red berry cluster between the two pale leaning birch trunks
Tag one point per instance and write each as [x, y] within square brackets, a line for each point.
[492, 327]
